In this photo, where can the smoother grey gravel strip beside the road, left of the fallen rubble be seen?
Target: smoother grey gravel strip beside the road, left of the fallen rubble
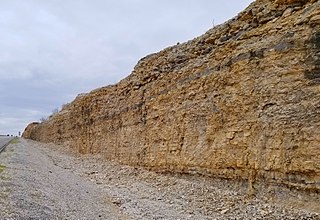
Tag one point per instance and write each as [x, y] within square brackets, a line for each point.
[34, 187]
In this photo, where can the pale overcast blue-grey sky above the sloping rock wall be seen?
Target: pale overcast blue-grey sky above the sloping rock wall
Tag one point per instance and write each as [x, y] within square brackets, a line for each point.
[52, 50]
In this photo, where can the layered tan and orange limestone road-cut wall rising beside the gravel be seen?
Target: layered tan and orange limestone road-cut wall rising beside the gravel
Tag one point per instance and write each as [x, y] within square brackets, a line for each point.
[240, 101]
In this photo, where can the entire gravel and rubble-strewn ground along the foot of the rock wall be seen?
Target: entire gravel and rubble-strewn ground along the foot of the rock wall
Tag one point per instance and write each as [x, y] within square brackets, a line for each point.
[44, 181]
